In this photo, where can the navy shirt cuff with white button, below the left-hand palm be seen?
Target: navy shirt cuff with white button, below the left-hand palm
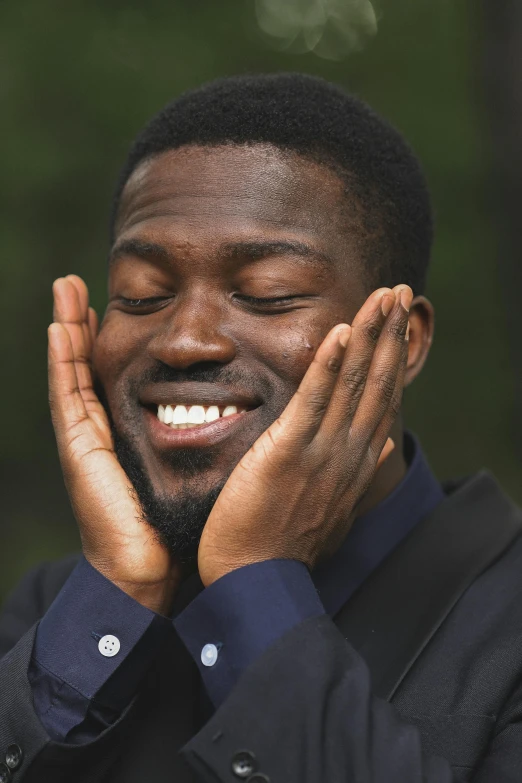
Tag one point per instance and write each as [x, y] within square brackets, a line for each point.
[92, 648]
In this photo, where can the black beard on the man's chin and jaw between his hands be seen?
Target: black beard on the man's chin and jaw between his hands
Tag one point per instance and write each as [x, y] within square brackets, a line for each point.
[178, 522]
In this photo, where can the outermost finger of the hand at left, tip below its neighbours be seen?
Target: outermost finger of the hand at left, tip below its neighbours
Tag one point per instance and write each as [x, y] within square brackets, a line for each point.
[67, 406]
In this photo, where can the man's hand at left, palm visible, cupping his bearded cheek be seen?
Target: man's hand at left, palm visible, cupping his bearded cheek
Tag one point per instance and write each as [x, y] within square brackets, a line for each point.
[116, 538]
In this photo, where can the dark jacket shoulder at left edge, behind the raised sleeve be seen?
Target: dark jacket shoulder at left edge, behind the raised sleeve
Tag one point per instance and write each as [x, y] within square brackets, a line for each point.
[31, 597]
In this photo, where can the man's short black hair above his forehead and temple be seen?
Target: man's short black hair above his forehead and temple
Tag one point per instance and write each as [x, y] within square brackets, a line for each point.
[320, 121]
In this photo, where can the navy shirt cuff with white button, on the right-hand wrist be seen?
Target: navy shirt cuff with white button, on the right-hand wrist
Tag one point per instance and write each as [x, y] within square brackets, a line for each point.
[234, 620]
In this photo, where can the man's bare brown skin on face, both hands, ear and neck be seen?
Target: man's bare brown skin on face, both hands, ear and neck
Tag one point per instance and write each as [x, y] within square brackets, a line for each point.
[201, 232]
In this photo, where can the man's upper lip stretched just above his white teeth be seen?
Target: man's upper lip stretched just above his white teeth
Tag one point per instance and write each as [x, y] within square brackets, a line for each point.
[194, 393]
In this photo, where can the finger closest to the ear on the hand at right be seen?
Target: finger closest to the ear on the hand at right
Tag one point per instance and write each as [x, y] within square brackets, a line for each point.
[382, 393]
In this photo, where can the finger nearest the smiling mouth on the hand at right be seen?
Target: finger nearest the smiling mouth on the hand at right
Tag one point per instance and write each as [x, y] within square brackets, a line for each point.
[303, 415]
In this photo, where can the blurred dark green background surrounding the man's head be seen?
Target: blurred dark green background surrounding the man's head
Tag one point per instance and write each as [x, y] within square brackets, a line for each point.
[79, 79]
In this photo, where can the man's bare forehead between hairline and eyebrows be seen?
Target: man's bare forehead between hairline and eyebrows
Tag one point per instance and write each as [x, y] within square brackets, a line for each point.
[197, 195]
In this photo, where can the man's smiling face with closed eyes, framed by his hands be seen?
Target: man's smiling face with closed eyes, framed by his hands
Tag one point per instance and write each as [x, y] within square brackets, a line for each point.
[203, 236]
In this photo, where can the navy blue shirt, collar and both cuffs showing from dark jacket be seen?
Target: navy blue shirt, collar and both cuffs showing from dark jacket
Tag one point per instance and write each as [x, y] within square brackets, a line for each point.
[79, 689]
